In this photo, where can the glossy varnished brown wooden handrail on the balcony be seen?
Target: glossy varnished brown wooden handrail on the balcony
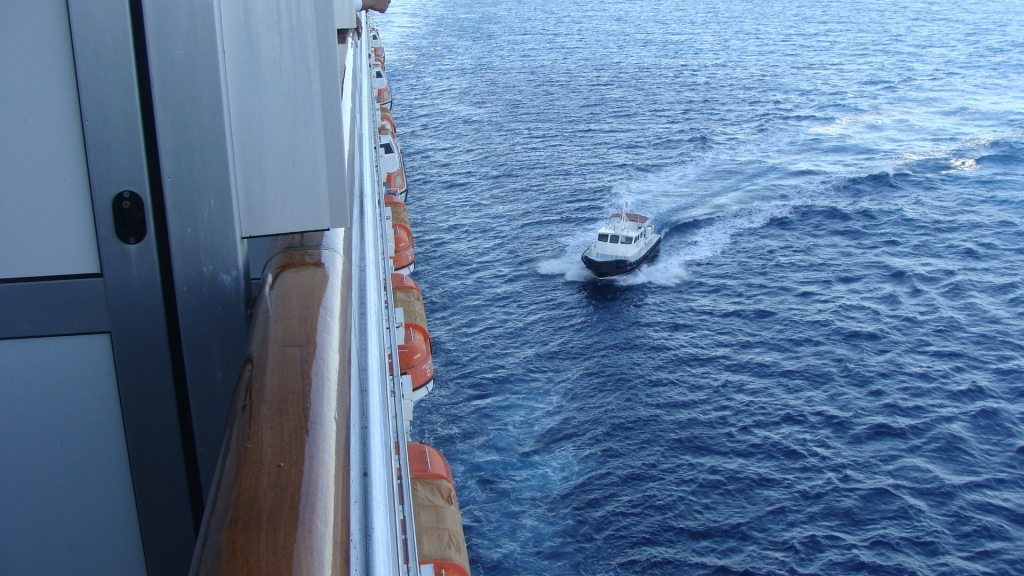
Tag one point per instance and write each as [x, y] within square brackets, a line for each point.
[280, 504]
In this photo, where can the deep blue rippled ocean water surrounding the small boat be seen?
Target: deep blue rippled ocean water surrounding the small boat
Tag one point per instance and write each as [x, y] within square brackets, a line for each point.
[824, 371]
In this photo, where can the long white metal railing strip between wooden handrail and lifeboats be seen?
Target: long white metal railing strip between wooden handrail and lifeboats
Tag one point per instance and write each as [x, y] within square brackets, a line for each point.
[383, 540]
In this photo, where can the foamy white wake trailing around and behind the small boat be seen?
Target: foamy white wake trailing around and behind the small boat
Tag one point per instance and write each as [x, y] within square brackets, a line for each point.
[700, 207]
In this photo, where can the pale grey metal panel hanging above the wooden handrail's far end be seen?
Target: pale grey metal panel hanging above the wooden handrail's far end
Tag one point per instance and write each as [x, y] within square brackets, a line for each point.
[284, 100]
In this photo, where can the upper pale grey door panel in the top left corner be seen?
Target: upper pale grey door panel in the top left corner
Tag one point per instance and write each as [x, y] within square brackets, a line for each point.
[47, 224]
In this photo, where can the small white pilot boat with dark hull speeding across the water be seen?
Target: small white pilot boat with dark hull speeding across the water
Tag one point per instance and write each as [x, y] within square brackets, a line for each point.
[624, 242]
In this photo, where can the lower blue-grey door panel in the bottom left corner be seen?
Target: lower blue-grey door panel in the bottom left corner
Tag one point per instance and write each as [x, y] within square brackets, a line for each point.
[68, 506]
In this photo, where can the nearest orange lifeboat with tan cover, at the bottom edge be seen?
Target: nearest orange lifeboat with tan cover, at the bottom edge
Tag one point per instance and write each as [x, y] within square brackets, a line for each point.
[440, 538]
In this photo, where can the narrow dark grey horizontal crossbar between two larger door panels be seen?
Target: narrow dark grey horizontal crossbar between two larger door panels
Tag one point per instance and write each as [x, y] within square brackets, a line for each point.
[53, 309]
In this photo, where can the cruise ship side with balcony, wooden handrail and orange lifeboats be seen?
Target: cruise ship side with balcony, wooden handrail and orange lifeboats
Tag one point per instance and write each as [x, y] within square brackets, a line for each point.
[210, 342]
